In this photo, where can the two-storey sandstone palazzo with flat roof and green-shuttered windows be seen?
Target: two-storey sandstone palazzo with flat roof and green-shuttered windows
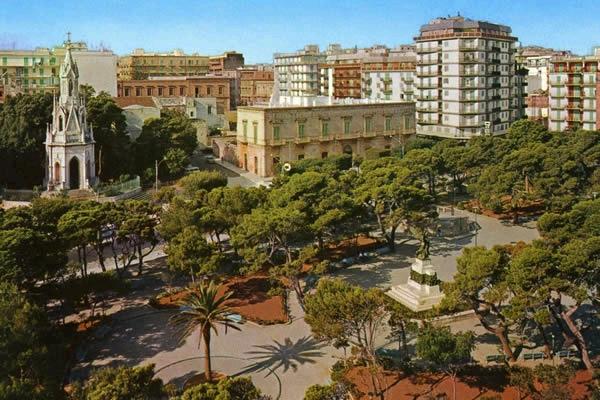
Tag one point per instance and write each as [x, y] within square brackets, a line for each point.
[268, 136]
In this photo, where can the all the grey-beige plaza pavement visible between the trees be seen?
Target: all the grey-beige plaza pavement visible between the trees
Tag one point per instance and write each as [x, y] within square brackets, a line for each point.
[283, 360]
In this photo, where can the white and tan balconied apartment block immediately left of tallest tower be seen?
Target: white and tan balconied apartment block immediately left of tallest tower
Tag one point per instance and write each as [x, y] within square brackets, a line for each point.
[390, 76]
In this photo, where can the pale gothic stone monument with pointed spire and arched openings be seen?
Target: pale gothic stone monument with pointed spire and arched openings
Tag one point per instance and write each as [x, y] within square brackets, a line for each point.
[69, 138]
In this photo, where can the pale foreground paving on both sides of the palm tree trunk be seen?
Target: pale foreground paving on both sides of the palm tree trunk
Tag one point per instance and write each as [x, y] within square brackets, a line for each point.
[282, 360]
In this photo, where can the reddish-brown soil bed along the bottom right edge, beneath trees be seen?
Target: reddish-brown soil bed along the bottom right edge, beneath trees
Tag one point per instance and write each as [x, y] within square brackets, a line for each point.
[471, 386]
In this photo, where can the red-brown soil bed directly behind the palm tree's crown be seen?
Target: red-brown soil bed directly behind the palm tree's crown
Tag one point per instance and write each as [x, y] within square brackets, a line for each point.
[250, 299]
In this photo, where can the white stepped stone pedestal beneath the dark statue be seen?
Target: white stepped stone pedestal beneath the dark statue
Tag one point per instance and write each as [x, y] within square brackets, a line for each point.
[417, 296]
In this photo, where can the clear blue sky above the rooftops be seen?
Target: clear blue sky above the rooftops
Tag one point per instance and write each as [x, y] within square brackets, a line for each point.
[260, 28]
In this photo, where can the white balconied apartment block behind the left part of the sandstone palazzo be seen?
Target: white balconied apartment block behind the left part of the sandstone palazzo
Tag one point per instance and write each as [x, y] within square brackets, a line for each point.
[297, 73]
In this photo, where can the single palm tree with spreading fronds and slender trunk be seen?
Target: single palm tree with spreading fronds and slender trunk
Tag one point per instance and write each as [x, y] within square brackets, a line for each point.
[204, 309]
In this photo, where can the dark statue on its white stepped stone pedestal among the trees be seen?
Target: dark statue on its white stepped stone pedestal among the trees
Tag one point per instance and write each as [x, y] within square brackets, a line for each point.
[422, 291]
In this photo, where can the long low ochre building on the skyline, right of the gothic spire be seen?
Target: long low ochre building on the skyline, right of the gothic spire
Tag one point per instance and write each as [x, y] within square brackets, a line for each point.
[140, 65]
